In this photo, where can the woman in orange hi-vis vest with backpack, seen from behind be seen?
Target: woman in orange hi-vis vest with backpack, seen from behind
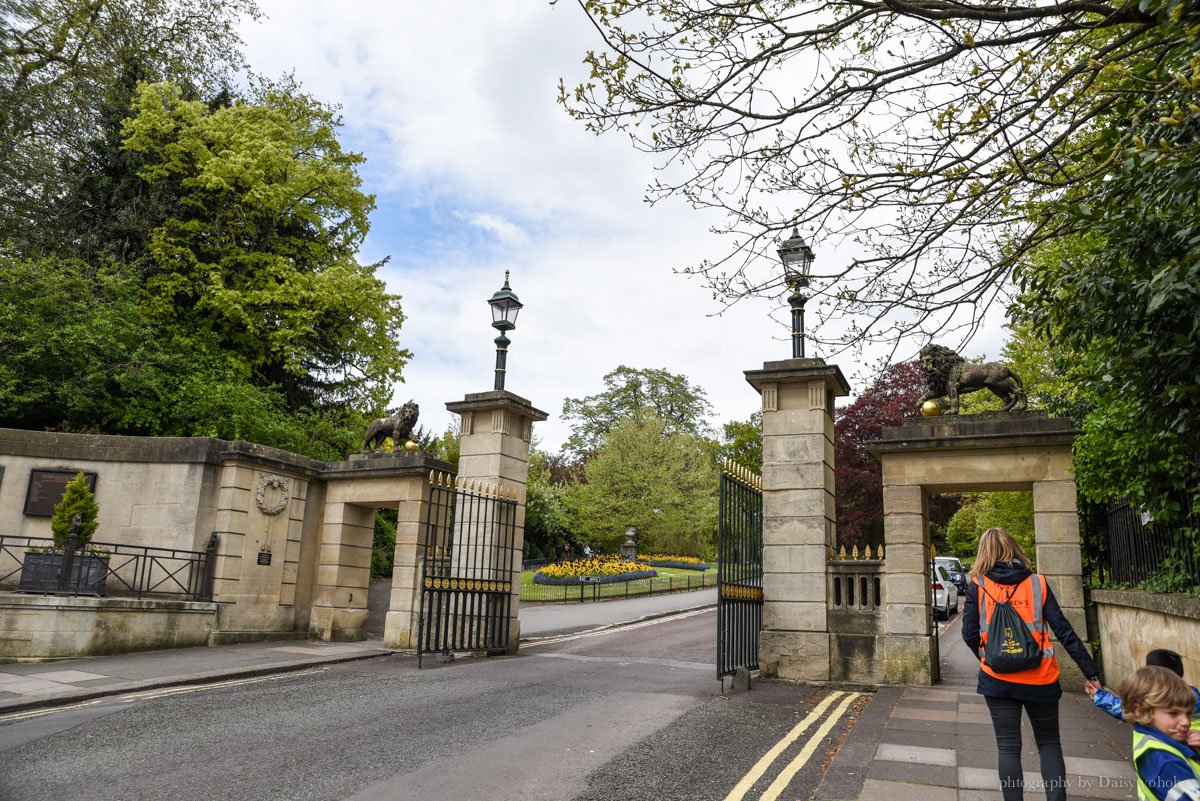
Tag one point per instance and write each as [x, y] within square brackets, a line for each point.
[1001, 575]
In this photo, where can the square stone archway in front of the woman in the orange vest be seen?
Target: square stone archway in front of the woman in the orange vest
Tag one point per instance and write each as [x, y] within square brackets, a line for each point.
[986, 453]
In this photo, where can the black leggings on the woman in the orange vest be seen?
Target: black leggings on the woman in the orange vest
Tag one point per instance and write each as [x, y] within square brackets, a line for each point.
[1006, 719]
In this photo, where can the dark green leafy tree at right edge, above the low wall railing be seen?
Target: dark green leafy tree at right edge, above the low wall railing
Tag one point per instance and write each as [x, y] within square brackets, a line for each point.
[1125, 311]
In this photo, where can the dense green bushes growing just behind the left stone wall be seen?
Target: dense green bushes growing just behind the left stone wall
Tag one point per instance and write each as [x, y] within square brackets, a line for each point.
[77, 353]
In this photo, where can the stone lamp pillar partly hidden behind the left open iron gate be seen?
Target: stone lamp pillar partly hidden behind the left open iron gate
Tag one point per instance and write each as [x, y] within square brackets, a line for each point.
[497, 427]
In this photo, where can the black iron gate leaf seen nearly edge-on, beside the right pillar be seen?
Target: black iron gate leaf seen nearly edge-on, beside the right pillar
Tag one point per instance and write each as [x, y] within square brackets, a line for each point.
[739, 571]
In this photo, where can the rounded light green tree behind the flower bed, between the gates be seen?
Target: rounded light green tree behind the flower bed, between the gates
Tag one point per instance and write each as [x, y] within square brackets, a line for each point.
[646, 475]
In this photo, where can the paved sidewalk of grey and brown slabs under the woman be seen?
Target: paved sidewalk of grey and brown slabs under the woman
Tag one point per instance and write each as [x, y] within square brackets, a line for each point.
[937, 744]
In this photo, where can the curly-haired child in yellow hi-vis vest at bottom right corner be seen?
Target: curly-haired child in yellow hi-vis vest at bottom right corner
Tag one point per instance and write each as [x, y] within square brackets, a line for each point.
[1160, 703]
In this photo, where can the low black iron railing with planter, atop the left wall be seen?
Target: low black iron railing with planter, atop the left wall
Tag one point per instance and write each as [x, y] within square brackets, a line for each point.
[106, 569]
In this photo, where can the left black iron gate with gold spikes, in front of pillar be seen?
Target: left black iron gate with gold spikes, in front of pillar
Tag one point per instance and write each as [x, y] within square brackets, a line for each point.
[470, 553]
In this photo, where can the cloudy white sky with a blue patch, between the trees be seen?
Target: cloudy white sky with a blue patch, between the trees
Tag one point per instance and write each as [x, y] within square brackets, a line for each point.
[478, 171]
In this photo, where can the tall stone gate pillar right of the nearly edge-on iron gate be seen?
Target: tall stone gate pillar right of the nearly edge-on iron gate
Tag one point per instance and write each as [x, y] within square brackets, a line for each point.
[799, 514]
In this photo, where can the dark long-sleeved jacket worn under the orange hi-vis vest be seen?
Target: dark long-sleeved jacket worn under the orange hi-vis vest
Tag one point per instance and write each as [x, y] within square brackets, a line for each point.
[1012, 574]
